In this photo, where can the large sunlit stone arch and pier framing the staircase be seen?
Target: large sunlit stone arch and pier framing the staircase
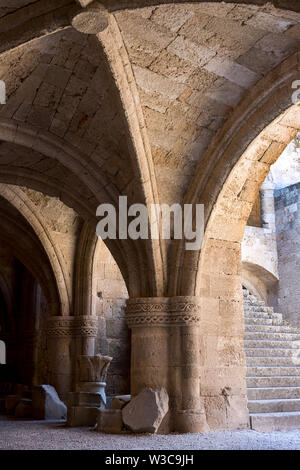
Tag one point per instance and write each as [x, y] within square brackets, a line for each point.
[261, 128]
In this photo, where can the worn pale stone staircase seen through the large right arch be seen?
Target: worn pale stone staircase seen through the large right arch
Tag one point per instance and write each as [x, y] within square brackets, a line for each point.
[272, 349]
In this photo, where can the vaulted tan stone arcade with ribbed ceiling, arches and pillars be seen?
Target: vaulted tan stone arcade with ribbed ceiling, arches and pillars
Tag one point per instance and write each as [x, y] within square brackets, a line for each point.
[185, 102]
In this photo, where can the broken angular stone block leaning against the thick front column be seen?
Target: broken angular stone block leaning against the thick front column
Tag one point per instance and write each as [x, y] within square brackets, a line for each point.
[145, 412]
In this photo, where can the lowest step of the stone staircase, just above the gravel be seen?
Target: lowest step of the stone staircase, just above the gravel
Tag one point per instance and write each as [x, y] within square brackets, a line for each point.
[275, 421]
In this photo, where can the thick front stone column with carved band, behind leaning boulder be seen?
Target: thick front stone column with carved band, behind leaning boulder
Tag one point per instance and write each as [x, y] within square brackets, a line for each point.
[165, 352]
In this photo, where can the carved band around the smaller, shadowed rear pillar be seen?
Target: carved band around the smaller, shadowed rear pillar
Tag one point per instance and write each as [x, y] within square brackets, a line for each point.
[83, 326]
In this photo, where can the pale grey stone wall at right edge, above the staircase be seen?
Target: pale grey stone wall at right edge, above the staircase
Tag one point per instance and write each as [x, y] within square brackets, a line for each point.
[288, 242]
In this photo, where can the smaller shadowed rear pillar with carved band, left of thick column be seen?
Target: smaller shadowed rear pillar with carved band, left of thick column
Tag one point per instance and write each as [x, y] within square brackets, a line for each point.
[67, 337]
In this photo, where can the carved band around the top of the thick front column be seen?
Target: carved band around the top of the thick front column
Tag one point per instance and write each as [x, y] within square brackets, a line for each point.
[163, 311]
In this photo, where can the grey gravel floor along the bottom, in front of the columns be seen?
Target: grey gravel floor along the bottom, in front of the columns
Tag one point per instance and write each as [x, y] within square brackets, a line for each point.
[54, 435]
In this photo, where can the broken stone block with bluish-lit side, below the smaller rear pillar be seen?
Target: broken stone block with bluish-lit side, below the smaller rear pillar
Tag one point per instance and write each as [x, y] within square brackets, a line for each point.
[47, 404]
